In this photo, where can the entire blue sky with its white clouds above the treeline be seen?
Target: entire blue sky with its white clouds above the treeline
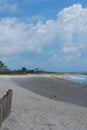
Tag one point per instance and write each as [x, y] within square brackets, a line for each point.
[46, 34]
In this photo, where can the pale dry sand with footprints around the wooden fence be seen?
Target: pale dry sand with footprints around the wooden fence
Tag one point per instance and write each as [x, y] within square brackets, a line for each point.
[33, 112]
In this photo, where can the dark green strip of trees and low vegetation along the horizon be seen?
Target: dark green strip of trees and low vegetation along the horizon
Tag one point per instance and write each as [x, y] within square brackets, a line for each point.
[5, 70]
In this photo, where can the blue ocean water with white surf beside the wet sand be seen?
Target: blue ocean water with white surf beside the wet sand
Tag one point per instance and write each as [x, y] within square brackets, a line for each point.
[78, 78]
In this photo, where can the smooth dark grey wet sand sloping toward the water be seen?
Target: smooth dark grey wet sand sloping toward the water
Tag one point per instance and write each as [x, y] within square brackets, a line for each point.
[55, 88]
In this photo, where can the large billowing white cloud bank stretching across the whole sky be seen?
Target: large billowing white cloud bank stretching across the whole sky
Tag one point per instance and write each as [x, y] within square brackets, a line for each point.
[68, 31]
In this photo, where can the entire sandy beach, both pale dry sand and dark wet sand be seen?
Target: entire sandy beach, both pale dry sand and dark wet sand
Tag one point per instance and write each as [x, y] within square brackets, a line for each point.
[37, 111]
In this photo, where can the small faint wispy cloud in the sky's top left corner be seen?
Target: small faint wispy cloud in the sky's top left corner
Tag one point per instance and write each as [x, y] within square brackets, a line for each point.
[6, 6]
